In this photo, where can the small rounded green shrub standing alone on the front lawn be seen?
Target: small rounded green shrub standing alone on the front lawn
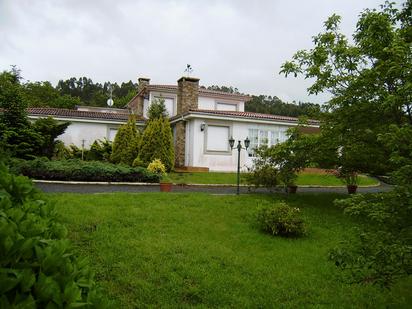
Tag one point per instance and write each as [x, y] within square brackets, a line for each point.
[280, 219]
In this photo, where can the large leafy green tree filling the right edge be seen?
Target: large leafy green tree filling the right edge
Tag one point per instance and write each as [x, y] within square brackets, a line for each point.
[368, 117]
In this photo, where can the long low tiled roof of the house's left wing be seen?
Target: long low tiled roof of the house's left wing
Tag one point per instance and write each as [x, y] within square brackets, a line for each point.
[72, 113]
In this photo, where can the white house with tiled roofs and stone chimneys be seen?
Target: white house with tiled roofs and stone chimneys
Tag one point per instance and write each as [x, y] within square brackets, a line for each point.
[202, 120]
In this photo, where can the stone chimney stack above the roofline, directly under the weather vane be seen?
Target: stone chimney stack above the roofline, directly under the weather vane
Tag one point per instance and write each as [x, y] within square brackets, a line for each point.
[187, 94]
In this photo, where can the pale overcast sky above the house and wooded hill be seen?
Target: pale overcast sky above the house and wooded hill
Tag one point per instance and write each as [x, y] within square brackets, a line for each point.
[235, 43]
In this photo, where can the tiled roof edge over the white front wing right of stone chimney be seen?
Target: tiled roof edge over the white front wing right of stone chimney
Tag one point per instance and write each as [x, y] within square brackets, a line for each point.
[250, 115]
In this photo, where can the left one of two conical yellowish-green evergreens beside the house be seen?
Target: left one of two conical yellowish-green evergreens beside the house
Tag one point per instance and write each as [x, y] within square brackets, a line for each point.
[126, 143]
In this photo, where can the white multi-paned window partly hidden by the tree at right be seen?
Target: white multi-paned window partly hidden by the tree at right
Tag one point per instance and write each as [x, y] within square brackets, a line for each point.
[260, 137]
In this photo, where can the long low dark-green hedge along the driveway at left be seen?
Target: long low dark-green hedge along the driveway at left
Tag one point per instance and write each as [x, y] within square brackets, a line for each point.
[78, 170]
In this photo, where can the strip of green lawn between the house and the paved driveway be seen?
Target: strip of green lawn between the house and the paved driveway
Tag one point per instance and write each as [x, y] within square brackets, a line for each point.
[230, 178]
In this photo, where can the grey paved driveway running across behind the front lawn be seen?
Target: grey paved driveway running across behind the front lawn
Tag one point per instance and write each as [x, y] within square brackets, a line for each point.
[100, 188]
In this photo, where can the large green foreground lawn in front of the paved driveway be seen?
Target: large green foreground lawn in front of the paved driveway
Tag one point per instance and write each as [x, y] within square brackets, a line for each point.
[183, 250]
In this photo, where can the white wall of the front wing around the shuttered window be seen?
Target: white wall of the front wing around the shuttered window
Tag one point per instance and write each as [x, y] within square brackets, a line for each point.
[196, 155]
